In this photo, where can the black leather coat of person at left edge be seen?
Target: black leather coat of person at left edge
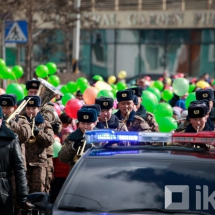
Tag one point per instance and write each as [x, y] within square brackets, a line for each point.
[10, 160]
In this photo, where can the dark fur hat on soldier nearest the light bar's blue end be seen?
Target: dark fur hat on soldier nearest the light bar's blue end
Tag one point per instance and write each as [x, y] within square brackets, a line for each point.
[87, 115]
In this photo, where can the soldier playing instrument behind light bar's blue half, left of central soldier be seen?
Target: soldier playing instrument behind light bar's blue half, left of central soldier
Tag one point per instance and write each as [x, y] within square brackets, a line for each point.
[106, 118]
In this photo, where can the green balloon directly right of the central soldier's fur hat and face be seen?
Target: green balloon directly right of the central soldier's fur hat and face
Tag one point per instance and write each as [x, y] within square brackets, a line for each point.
[149, 101]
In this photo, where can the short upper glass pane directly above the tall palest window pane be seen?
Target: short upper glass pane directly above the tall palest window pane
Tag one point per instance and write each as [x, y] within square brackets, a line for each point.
[127, 36]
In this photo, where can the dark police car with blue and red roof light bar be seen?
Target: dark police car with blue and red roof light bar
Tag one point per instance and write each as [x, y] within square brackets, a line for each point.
[156, 173]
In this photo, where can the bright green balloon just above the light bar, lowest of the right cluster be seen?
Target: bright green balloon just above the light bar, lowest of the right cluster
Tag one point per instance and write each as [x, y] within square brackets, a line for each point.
[167, 124]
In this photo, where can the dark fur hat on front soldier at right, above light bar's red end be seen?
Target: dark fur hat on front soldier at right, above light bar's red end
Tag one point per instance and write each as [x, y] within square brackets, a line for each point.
[197, 110]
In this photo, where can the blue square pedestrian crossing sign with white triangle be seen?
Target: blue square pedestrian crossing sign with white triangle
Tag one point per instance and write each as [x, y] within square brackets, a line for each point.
[16, 32]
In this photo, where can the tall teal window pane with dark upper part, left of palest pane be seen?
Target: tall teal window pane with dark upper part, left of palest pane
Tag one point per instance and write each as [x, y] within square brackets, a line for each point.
[103, 56]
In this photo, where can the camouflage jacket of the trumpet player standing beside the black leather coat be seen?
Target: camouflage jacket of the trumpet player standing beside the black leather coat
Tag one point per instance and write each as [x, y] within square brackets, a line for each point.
[36, 152]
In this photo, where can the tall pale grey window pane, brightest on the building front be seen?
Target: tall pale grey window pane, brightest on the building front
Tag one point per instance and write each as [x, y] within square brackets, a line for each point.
[127, 59]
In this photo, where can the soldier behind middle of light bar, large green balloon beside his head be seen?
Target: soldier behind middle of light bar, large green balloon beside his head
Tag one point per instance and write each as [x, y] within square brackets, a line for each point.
[126, 113]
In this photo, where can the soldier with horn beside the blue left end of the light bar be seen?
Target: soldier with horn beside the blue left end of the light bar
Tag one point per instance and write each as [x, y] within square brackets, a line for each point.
[87, 118]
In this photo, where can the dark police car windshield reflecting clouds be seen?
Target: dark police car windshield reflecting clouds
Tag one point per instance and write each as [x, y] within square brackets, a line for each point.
[113, 183]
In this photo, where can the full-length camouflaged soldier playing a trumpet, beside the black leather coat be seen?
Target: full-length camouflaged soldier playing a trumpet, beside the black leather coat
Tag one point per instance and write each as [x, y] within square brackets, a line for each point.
[43, 137]
